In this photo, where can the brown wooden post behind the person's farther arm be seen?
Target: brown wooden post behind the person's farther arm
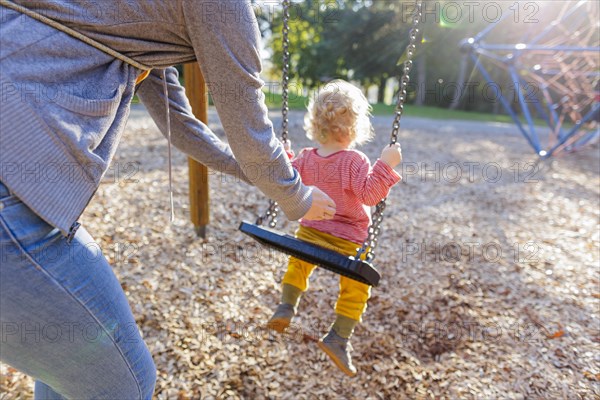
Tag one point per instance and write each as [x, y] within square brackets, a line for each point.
[198, 173]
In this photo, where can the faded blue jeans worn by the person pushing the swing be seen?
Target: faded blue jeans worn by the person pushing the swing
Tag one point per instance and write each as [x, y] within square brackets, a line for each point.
[64, 319]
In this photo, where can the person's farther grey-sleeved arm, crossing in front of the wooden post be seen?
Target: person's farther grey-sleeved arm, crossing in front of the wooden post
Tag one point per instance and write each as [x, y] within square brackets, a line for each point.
[188, 134]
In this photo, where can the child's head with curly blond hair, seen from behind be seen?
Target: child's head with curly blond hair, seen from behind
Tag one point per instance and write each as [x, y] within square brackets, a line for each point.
[339, 112]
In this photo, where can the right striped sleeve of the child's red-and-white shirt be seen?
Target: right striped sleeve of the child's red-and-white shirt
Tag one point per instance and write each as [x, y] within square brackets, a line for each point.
[371, 185]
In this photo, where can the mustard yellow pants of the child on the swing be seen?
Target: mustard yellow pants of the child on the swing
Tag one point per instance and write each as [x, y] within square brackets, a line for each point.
[352, 300]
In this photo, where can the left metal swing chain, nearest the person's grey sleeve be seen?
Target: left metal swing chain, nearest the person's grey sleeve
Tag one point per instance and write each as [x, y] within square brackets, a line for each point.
[273, 210]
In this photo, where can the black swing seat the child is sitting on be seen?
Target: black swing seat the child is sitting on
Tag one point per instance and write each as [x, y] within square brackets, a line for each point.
[359, 270]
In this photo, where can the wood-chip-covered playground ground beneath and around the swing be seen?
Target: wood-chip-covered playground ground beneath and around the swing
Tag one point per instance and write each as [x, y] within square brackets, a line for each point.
[489, 286]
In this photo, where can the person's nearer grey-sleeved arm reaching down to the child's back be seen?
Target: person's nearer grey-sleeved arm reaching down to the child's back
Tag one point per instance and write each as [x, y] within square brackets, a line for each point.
[225, 38]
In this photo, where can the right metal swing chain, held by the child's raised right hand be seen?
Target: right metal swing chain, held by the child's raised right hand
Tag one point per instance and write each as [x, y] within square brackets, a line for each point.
[370, 242]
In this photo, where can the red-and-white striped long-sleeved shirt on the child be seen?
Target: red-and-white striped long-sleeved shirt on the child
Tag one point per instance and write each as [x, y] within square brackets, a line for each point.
[347, 177]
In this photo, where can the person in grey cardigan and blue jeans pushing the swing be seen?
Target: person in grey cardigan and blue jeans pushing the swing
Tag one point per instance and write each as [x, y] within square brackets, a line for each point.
[64, 318]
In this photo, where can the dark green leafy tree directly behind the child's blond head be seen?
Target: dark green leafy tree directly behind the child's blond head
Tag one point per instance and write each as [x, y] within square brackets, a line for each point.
[360, 40]
